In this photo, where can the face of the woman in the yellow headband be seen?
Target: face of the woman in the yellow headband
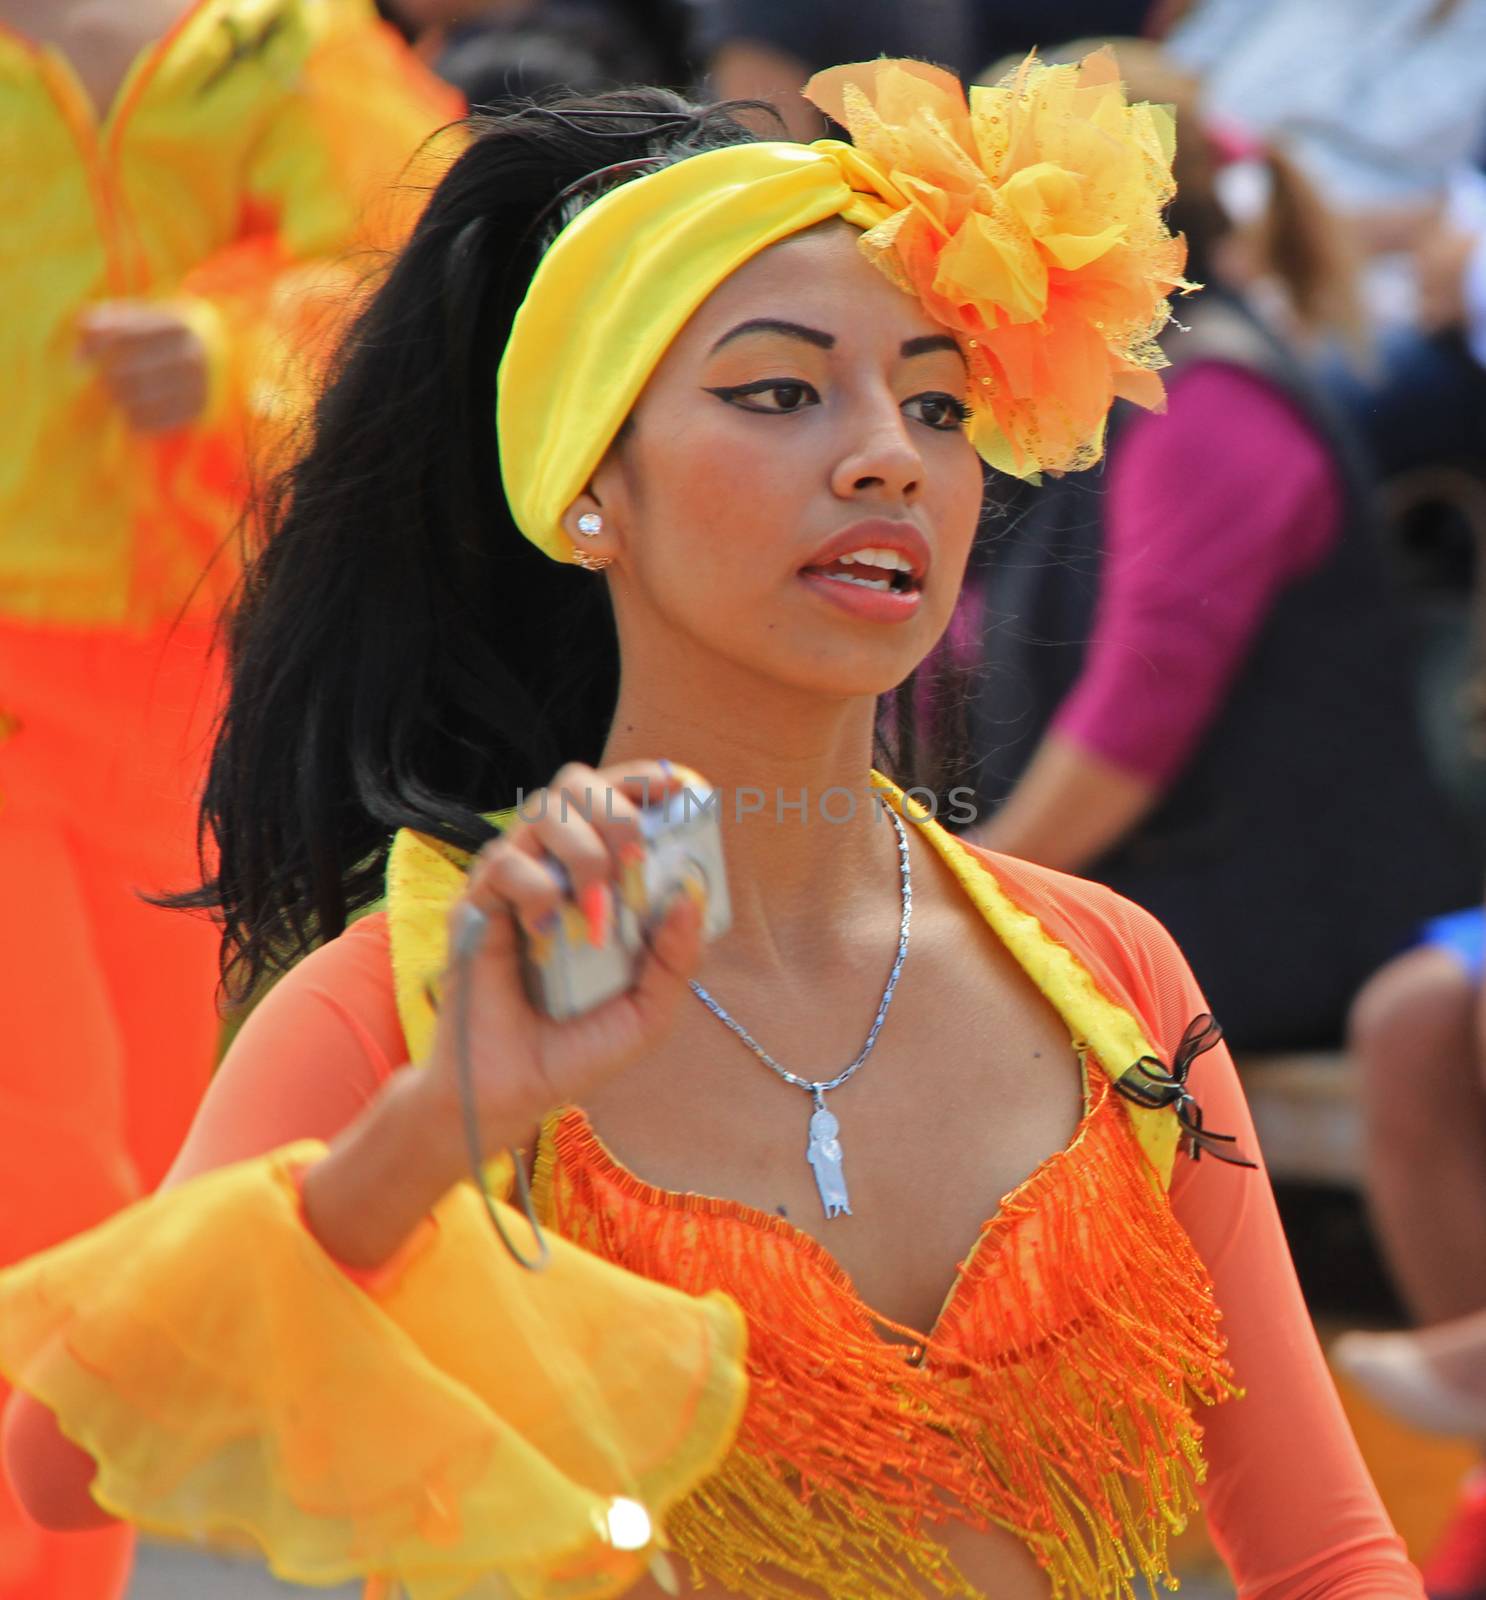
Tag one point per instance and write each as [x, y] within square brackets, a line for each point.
[810, 410]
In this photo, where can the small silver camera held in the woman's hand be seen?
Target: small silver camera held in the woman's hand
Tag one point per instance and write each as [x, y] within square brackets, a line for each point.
[567, 974]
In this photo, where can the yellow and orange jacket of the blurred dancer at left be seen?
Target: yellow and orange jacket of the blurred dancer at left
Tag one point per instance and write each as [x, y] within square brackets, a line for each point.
[247, 143]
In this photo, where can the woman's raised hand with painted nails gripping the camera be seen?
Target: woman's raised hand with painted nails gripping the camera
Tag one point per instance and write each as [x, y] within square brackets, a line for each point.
[522, 1062]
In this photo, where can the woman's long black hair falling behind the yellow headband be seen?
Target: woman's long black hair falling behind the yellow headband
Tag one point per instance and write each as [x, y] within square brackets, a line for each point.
[401, 655]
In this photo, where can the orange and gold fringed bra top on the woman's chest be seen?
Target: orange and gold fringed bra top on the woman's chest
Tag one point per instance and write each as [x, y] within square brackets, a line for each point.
[1050, 1399]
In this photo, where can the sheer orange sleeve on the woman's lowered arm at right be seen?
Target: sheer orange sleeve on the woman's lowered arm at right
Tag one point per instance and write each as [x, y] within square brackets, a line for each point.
[1288, 1498]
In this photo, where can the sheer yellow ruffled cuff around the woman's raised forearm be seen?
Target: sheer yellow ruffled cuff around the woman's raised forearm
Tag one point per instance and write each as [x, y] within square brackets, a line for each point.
[460, 1428]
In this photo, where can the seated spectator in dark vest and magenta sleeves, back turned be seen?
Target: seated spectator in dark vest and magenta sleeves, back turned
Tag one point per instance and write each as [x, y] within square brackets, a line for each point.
[1194, 684]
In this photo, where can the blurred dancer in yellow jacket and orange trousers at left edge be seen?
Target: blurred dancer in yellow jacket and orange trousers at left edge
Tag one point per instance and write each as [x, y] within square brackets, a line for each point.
[182, 190]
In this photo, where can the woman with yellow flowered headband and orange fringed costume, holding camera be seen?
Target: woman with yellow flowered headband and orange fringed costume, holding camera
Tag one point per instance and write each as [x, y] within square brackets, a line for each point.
[748, 383]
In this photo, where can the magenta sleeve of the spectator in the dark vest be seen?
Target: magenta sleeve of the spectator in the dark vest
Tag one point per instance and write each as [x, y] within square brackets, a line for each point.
[1269, 516]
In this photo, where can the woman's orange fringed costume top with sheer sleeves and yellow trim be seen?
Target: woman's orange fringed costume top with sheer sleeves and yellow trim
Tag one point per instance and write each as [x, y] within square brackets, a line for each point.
[1052, 1396]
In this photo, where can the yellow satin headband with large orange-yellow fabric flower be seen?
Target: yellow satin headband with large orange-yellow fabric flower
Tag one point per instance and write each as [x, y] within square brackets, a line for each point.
[1028, 222]
